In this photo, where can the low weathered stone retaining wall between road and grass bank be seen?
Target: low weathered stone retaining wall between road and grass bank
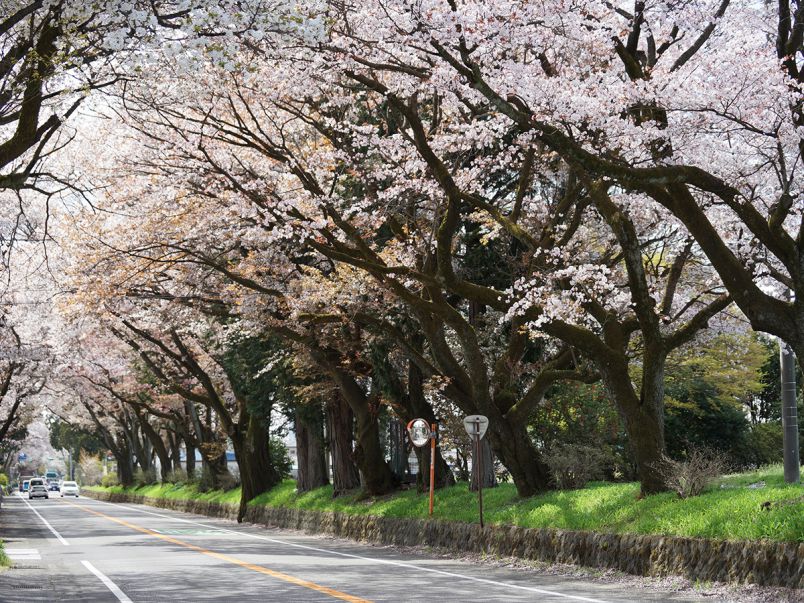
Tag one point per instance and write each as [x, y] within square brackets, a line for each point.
[765, 563]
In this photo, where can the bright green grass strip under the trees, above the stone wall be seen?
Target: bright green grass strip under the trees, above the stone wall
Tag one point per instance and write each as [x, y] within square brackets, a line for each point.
[731, 512]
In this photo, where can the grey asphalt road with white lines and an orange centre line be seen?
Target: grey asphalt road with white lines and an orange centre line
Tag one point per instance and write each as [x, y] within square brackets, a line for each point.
[86, 550]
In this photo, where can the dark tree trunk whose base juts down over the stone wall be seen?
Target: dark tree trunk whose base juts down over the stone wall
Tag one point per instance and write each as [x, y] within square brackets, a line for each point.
[257, 475]
